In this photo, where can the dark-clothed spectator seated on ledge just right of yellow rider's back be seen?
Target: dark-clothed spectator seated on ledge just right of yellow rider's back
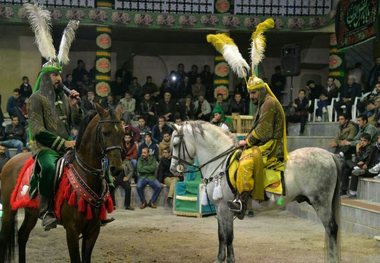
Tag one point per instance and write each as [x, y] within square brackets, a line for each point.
[298, 112]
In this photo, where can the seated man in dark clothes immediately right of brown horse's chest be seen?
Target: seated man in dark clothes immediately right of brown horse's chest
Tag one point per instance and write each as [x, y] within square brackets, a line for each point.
[123, 179]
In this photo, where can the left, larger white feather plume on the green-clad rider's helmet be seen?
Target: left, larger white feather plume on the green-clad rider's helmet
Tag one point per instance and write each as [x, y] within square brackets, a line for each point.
[39, 20]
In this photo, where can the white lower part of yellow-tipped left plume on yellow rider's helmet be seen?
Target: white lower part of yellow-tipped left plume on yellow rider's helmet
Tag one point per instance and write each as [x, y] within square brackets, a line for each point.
[236, 61]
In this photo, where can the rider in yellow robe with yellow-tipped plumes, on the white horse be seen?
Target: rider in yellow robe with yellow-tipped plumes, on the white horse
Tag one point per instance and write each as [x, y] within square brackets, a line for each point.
[265, 144]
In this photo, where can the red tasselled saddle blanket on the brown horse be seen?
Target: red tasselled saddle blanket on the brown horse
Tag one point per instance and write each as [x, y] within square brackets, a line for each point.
[68, 190]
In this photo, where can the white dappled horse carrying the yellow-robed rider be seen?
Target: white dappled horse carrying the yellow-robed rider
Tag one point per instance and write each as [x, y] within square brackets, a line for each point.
[311, 175]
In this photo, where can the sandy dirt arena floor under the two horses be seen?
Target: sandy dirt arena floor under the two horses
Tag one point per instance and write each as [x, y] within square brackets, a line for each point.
[155, 235]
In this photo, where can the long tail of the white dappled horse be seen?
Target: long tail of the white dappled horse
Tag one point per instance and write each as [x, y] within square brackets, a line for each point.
[336, 206]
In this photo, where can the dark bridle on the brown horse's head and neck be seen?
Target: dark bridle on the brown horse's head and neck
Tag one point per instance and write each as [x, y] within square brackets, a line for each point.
[105, 162]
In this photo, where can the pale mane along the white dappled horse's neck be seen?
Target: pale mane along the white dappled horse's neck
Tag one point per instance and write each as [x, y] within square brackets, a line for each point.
[217, 132]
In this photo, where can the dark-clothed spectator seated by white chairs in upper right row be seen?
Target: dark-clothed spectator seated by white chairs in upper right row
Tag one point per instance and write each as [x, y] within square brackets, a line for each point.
[349, 92]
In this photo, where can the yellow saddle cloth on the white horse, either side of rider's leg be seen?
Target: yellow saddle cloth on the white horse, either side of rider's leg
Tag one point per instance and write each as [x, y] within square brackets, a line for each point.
[273, 171]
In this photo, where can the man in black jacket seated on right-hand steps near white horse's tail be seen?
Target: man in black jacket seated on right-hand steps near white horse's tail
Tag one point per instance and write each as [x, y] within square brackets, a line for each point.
[357, 167]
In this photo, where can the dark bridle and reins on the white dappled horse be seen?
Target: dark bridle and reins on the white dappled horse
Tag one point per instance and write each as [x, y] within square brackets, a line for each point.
[182, 147]
